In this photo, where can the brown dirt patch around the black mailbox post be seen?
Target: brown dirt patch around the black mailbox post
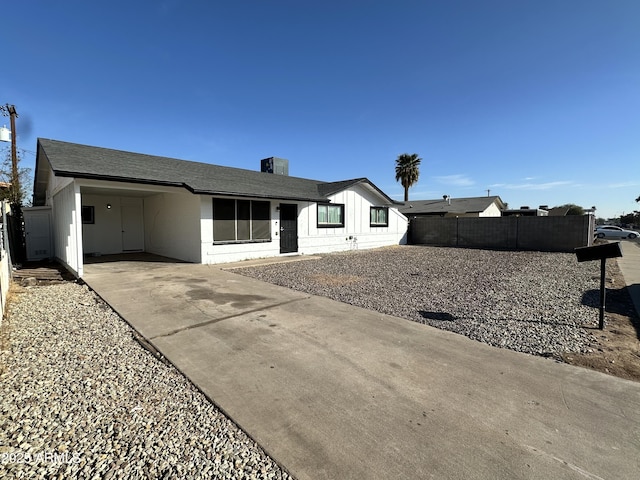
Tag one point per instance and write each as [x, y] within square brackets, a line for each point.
[618, 350]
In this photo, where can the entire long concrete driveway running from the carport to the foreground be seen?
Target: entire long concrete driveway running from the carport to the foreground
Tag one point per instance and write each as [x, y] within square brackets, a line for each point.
[332, 391]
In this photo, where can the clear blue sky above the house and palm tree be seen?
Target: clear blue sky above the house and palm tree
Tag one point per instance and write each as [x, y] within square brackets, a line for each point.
[536, 101]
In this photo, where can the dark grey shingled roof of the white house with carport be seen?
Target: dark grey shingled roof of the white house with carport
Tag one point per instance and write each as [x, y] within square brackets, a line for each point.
[82, 161]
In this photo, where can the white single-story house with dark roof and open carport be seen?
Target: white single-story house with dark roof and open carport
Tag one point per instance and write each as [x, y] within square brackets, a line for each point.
[107, 201]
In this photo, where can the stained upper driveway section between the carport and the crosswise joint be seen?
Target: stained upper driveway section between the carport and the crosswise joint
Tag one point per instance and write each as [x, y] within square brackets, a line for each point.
[165, 298]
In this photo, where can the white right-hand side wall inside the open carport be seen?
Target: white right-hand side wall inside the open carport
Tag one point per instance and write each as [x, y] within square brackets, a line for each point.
[172, 225]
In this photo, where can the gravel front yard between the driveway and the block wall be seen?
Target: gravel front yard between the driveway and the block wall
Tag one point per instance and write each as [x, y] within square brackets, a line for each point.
[531, 302]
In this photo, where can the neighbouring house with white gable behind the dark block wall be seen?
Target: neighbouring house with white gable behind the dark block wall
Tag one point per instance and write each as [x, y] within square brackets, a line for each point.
[455, 207]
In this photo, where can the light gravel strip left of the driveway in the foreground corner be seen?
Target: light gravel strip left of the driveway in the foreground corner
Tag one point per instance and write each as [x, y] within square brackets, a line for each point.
[80, 398]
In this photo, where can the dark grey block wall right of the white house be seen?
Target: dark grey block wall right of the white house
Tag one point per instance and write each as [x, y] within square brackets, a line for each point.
[554, 234]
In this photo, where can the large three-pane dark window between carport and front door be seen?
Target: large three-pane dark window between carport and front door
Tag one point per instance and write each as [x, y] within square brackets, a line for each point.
[241, 220]
